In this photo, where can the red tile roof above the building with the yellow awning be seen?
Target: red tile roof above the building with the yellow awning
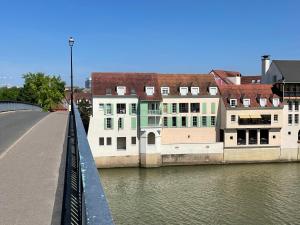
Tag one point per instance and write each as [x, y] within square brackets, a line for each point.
[249, 91]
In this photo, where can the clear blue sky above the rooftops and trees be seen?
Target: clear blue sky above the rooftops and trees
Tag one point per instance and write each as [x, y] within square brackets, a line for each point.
[181, 36]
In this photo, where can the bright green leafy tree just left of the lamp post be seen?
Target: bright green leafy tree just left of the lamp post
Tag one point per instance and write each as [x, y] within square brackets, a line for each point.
[46, 91]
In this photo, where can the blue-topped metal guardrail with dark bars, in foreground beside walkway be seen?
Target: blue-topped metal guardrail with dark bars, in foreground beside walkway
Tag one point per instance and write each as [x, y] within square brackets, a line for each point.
[84, 199]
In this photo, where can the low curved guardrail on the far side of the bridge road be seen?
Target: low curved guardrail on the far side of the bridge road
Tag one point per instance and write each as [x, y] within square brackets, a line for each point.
[6, 106]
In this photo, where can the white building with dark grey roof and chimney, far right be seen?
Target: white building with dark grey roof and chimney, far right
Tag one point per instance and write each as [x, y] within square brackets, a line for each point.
[285, 77]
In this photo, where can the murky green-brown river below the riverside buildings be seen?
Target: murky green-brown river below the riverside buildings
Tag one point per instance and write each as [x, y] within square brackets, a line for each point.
[211, 194]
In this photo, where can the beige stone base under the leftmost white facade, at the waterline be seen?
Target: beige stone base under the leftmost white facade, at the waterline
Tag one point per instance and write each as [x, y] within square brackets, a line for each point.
[117, 161]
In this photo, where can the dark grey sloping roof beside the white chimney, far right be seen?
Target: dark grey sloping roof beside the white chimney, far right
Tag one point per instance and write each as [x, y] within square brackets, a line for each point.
[290, 69]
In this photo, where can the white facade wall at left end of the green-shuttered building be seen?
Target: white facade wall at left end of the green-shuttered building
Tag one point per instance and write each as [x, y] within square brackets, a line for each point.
[98, 129]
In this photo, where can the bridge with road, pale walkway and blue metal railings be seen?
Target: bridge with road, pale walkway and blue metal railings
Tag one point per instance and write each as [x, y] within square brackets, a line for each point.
[48, 175]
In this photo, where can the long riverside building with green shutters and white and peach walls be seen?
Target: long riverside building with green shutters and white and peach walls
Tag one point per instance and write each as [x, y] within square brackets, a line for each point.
[152, 119]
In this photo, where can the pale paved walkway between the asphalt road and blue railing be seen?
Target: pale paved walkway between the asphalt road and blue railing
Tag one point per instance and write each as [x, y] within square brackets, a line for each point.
[31, 175]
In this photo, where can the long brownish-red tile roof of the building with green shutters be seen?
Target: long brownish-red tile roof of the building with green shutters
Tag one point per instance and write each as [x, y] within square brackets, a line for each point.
[137, 81]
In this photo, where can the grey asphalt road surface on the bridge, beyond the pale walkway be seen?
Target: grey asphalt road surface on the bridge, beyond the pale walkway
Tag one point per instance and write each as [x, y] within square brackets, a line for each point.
[14, 124]
